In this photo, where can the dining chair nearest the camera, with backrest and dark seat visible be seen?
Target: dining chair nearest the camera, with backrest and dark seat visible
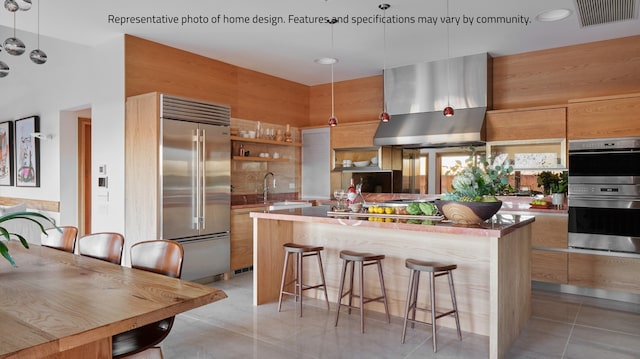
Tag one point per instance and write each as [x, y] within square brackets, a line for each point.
[162, 257]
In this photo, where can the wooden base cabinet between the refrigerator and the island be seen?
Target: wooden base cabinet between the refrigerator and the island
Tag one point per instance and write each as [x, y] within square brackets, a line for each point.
[242, 237]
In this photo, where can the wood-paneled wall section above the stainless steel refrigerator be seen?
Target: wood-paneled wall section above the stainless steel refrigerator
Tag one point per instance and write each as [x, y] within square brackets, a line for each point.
[153, 67]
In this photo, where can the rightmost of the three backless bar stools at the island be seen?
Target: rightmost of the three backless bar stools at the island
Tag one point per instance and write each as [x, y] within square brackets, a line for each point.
[434, 270]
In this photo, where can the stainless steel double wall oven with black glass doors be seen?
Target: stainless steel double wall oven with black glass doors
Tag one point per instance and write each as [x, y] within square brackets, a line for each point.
[604, 194]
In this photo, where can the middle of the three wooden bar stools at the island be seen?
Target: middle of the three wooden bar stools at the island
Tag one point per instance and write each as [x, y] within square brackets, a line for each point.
[365, 259]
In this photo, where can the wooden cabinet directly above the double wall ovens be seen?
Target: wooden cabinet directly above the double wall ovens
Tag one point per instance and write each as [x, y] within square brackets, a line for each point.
[614, 116]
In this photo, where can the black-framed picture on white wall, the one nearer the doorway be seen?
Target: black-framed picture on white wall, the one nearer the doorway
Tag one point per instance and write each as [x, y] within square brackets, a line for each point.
[27, 151]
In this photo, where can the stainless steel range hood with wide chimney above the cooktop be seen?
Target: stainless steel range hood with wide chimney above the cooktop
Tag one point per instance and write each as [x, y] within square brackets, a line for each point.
[417, 95]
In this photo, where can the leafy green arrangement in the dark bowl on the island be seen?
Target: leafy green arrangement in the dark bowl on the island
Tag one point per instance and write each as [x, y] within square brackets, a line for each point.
[478, 179]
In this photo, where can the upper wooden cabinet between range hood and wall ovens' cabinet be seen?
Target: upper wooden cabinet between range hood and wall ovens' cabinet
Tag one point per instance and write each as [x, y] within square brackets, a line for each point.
[526, 124]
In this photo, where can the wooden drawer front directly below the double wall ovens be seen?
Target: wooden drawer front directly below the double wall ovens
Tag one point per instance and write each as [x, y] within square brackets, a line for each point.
[604, 272]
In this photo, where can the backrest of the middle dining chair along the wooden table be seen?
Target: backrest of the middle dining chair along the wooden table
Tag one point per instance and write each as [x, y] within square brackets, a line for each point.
[106, 246]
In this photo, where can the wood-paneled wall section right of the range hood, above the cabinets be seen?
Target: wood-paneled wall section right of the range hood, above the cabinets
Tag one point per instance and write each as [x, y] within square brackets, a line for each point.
[554, 76]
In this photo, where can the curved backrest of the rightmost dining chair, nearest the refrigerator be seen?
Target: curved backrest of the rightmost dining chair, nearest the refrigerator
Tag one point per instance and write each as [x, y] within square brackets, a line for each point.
[159, 256]
